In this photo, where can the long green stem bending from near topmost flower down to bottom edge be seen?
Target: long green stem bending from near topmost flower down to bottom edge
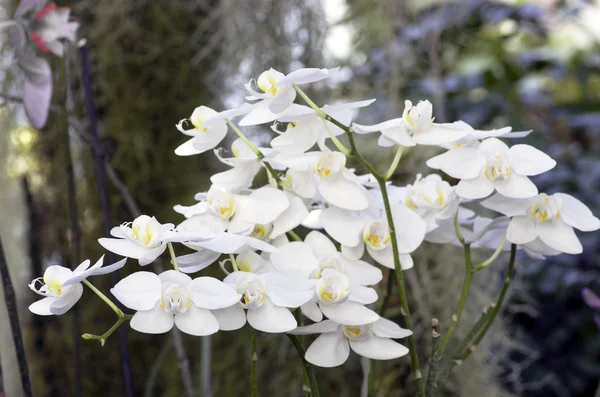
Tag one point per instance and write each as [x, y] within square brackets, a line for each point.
[414, 359]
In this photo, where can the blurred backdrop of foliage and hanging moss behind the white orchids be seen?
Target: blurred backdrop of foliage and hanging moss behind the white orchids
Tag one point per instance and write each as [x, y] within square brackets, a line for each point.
[528, 64]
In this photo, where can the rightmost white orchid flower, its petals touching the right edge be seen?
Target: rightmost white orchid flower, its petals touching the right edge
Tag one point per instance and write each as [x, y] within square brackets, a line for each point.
[544, 224]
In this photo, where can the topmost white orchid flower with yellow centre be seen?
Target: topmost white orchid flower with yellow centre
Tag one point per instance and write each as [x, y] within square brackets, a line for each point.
[277, 94]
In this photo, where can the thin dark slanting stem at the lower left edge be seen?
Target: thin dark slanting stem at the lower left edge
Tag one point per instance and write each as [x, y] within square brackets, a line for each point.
[13, 317]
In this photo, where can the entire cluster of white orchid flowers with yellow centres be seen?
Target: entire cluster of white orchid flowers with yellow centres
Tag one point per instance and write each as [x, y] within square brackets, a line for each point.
[327, 274]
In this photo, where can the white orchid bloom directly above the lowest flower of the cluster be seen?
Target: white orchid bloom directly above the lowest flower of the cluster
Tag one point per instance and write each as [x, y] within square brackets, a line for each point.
[340, 291]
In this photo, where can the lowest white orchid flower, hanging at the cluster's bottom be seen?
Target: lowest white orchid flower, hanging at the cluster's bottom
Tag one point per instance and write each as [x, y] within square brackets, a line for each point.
[374, 341]
